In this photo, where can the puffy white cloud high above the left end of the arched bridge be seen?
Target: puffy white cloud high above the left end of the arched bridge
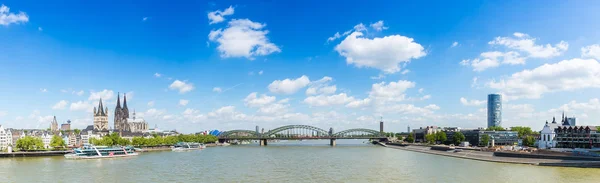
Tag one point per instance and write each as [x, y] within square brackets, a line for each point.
[243, 38]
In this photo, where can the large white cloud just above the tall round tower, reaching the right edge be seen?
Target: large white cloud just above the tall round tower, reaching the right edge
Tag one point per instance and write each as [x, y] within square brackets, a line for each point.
[566, 75]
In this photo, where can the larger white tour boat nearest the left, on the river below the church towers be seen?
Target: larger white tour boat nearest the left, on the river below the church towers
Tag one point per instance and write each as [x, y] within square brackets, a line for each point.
[90, 151]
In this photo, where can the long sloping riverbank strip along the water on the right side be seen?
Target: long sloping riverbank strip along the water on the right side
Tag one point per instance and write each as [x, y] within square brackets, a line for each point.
[489, 157]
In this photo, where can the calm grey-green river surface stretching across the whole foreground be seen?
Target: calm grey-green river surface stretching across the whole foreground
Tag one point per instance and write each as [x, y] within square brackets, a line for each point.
[292, 161]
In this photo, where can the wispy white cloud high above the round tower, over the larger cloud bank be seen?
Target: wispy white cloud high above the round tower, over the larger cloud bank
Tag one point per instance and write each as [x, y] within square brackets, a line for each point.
[526, 44]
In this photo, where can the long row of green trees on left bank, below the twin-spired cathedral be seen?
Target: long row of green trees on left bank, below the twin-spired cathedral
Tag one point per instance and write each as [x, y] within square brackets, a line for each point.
[115, 139]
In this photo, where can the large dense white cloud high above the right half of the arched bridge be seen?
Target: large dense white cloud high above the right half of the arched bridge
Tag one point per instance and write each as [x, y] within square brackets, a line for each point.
[385, 53]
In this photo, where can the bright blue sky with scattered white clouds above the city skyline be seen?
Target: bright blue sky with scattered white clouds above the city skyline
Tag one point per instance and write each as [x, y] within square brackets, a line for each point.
[196, 65]
